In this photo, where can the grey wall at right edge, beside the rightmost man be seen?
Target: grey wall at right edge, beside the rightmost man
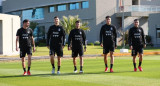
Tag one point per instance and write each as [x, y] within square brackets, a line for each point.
[153, 24]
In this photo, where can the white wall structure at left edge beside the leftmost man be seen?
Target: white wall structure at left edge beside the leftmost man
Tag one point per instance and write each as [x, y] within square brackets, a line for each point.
[10, 25]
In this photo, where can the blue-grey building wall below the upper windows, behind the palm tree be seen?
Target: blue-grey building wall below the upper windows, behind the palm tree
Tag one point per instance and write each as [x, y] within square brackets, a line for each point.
[87, 14]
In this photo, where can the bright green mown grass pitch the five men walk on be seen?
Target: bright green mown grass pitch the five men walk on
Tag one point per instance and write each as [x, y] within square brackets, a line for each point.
[10, 73]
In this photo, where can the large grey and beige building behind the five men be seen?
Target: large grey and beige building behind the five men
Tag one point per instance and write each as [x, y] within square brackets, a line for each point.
[93, 11]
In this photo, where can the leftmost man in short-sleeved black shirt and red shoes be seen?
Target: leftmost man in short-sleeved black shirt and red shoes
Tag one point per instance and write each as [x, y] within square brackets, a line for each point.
[25, 37]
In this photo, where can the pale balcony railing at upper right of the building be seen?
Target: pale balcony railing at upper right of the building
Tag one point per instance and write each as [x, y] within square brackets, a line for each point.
[139, 8]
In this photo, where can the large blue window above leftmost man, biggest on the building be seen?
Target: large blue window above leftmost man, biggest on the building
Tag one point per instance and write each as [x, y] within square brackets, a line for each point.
[33, 14]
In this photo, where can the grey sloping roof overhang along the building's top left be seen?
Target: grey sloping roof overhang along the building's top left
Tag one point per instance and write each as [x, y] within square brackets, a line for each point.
[32, 4]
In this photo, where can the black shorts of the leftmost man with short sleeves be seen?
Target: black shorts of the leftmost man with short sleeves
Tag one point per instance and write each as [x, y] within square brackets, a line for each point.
[24, 51]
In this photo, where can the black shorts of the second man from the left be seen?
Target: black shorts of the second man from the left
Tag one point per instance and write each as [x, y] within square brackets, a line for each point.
[56, 50]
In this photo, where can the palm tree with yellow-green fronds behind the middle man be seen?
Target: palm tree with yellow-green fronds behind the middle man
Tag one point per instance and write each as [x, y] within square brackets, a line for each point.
[68, 23]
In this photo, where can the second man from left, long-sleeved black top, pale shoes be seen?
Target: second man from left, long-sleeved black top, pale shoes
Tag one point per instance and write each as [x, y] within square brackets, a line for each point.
[56, 43]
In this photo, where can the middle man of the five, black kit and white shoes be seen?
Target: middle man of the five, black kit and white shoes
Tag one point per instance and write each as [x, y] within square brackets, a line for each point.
[76, 40]
